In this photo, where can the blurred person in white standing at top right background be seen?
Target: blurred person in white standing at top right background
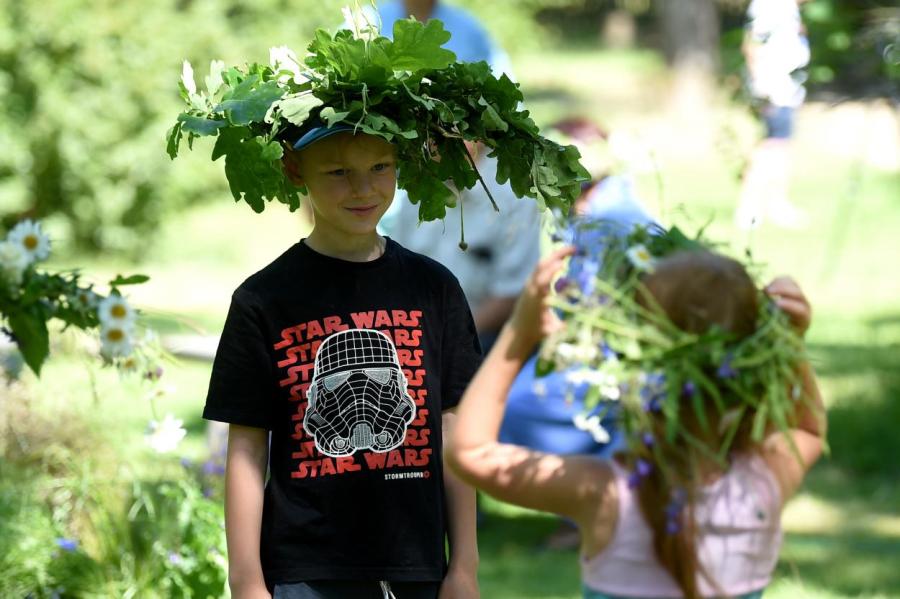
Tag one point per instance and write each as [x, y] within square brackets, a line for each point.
[776, 50]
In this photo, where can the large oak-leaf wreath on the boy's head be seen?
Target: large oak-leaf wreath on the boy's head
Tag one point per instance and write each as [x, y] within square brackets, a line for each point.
[408, 90]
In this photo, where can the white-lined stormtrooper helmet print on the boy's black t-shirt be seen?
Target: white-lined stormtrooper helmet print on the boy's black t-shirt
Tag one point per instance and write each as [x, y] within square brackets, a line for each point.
[357, 395]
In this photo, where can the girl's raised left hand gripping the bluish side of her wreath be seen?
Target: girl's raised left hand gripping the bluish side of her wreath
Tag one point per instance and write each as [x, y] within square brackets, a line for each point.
[531, 319]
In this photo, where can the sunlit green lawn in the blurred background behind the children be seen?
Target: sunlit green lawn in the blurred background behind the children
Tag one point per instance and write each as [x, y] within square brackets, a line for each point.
[843, 531]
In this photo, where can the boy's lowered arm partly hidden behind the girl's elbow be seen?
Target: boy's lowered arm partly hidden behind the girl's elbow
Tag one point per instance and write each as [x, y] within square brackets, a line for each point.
[462, 577]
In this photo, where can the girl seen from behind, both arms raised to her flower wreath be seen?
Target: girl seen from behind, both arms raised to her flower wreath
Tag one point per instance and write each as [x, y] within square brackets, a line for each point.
[717, 532]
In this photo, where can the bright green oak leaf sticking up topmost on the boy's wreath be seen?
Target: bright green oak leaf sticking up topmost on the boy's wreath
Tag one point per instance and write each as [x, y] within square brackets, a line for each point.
[417, 47]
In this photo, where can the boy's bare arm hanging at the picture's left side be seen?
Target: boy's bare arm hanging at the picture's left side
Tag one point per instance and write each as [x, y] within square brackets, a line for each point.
[245, 469]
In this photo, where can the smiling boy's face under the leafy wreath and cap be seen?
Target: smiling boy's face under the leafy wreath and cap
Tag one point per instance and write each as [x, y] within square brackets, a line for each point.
[351, 181]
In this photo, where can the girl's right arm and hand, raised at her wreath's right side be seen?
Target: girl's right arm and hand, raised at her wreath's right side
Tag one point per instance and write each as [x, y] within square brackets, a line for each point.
[810, 426]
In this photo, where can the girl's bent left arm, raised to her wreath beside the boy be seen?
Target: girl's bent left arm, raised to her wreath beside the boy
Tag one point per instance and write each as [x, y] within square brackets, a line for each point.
[572, 486]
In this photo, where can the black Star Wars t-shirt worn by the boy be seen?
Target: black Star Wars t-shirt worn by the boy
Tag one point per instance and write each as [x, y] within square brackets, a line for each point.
[349, 365]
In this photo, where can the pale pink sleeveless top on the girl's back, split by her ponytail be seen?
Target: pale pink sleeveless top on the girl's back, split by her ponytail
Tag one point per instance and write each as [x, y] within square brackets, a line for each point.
[739, 537]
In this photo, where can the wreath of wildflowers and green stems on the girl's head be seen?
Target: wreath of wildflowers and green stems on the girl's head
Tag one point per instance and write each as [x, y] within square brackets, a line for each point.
[638, 363]
